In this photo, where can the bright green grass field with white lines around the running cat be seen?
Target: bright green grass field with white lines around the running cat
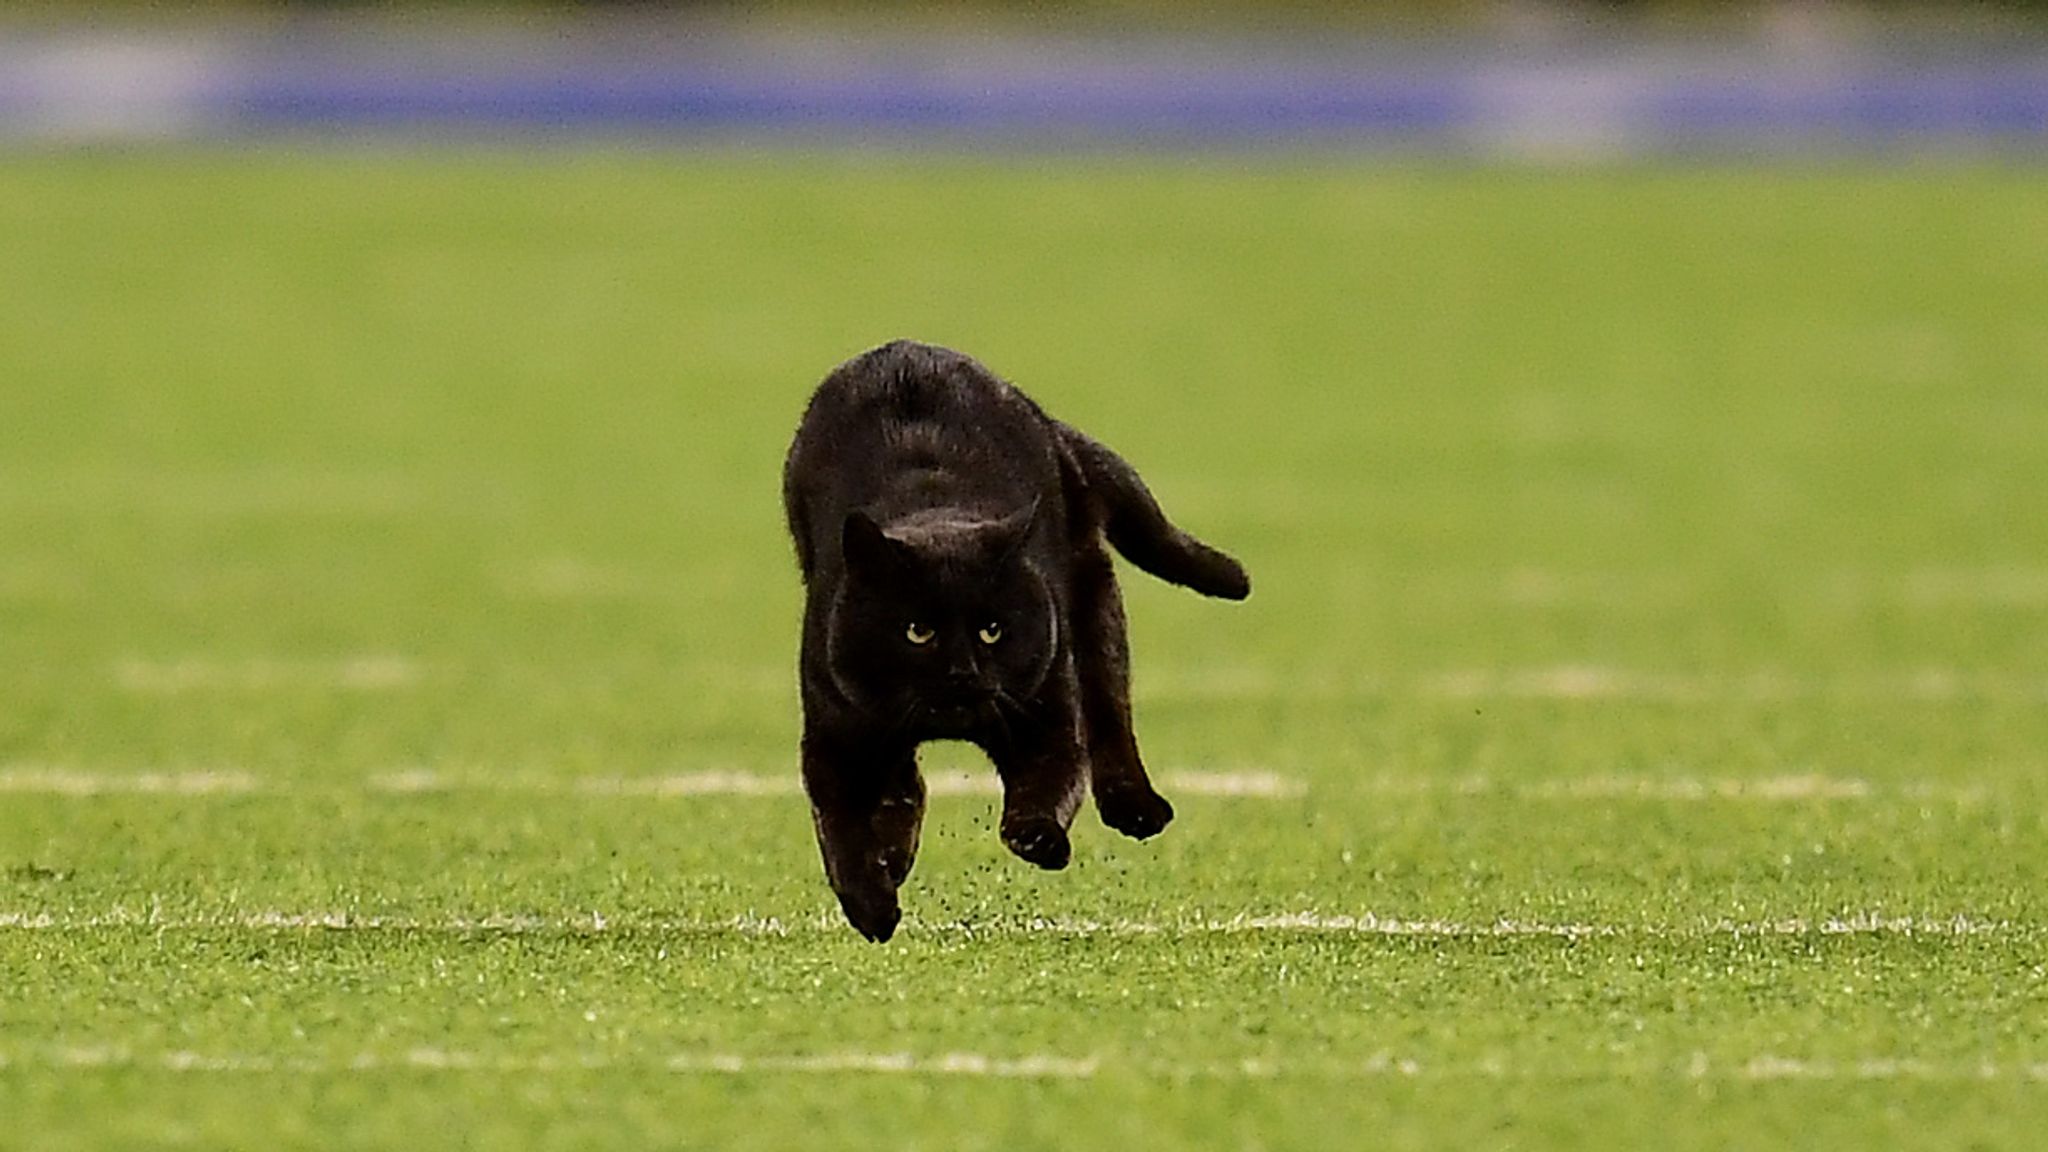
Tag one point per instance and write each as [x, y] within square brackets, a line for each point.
[1637, 735]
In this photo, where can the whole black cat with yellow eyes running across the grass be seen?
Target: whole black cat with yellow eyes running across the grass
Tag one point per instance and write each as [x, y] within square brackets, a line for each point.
[955, 554]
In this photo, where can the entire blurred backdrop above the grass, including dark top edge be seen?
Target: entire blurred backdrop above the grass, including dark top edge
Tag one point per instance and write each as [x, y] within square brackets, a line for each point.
[1514, 77]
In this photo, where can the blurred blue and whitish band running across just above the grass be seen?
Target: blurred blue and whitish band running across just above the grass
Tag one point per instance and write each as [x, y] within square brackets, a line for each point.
[1605, 95]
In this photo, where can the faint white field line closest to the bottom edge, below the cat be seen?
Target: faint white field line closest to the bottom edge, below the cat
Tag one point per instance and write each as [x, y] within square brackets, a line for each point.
[1031, 1067]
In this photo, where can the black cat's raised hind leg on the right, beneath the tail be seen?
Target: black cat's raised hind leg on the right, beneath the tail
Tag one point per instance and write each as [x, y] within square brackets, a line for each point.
[1125, 794]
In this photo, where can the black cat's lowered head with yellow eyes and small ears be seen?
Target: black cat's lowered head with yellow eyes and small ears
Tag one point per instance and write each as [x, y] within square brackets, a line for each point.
[943, 622]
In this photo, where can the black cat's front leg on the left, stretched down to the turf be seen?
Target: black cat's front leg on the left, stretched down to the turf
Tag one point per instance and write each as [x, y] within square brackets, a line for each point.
[867, 807]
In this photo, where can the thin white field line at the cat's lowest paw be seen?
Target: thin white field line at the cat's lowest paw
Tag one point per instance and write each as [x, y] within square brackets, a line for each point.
[1246, 923]
